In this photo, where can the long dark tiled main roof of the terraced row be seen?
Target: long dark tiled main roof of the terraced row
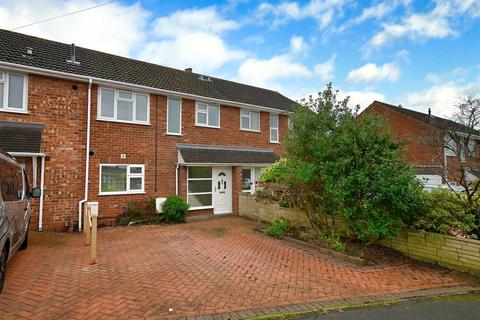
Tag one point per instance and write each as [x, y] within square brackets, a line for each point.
[52, 55]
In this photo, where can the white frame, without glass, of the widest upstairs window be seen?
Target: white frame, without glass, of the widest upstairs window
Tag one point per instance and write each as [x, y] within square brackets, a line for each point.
[115, 106]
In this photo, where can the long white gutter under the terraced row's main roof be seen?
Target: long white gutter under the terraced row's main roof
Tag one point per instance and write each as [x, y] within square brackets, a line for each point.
[65, 75]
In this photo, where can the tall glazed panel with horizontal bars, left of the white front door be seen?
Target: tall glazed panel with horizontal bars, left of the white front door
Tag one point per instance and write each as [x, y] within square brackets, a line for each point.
[199, 187]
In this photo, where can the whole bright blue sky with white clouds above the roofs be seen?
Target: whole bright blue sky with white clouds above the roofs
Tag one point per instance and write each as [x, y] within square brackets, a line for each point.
[416, 53]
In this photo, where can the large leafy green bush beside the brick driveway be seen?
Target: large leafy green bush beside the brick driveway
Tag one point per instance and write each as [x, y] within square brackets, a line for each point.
[339, 165]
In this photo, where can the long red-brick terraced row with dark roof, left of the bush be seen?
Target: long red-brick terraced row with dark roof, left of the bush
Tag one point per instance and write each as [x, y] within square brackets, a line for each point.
[92, 126]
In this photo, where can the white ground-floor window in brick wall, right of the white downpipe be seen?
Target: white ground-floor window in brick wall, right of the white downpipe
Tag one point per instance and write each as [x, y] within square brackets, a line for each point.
[122, 179]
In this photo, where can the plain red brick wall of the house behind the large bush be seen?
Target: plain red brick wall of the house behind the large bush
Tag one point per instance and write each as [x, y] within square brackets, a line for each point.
[416, 134]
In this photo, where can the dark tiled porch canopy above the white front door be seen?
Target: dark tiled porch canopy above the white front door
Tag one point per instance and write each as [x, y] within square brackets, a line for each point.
[192, 154]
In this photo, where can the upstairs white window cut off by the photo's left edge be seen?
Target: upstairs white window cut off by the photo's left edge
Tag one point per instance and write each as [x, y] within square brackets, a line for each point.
[13, 92]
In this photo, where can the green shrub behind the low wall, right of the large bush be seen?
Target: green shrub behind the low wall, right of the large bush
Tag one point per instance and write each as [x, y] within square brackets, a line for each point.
[445, 212]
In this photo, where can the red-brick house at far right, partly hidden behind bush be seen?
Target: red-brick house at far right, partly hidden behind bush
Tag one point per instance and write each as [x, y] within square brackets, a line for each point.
[429, 148]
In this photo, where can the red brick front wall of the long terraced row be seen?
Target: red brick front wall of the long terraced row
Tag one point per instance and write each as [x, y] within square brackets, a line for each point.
[62, 110]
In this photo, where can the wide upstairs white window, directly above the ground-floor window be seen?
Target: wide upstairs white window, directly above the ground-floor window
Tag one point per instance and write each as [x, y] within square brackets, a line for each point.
[123, 106]
